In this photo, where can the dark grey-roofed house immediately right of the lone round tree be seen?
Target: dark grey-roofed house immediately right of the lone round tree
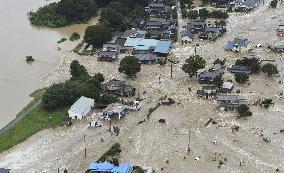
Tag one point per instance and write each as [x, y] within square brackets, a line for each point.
[207, 77]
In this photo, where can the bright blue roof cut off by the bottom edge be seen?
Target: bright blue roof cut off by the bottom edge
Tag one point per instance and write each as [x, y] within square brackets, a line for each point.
[106, 167]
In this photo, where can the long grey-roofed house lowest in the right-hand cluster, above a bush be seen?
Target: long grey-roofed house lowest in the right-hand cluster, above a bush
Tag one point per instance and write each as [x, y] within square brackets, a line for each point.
[231, 101]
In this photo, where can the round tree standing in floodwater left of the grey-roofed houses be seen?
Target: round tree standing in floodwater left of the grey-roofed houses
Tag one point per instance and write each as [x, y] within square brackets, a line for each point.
[193, 64]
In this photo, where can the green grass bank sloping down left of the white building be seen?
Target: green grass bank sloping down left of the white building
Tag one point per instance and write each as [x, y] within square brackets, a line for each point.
[37, 120]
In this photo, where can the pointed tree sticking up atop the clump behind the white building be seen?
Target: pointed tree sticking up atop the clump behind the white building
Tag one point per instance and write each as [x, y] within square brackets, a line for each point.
[78, 71]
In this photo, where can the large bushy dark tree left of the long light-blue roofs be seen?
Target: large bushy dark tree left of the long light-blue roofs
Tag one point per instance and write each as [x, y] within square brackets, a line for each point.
[97, 35]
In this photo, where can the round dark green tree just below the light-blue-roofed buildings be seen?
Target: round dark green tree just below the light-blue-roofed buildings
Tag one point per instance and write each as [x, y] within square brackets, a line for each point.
[129, 65]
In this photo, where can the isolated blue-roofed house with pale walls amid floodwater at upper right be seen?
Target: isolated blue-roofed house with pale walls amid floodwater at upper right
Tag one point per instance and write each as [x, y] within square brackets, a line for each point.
[238, 45]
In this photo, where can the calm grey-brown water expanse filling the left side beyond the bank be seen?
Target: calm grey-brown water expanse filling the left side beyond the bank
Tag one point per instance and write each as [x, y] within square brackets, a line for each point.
[19, 39]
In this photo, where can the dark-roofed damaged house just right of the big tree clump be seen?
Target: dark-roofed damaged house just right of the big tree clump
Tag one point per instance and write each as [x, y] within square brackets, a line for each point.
[118, 87]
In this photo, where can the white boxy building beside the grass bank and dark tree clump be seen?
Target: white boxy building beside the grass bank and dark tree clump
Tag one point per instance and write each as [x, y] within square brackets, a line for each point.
[81, 108]
